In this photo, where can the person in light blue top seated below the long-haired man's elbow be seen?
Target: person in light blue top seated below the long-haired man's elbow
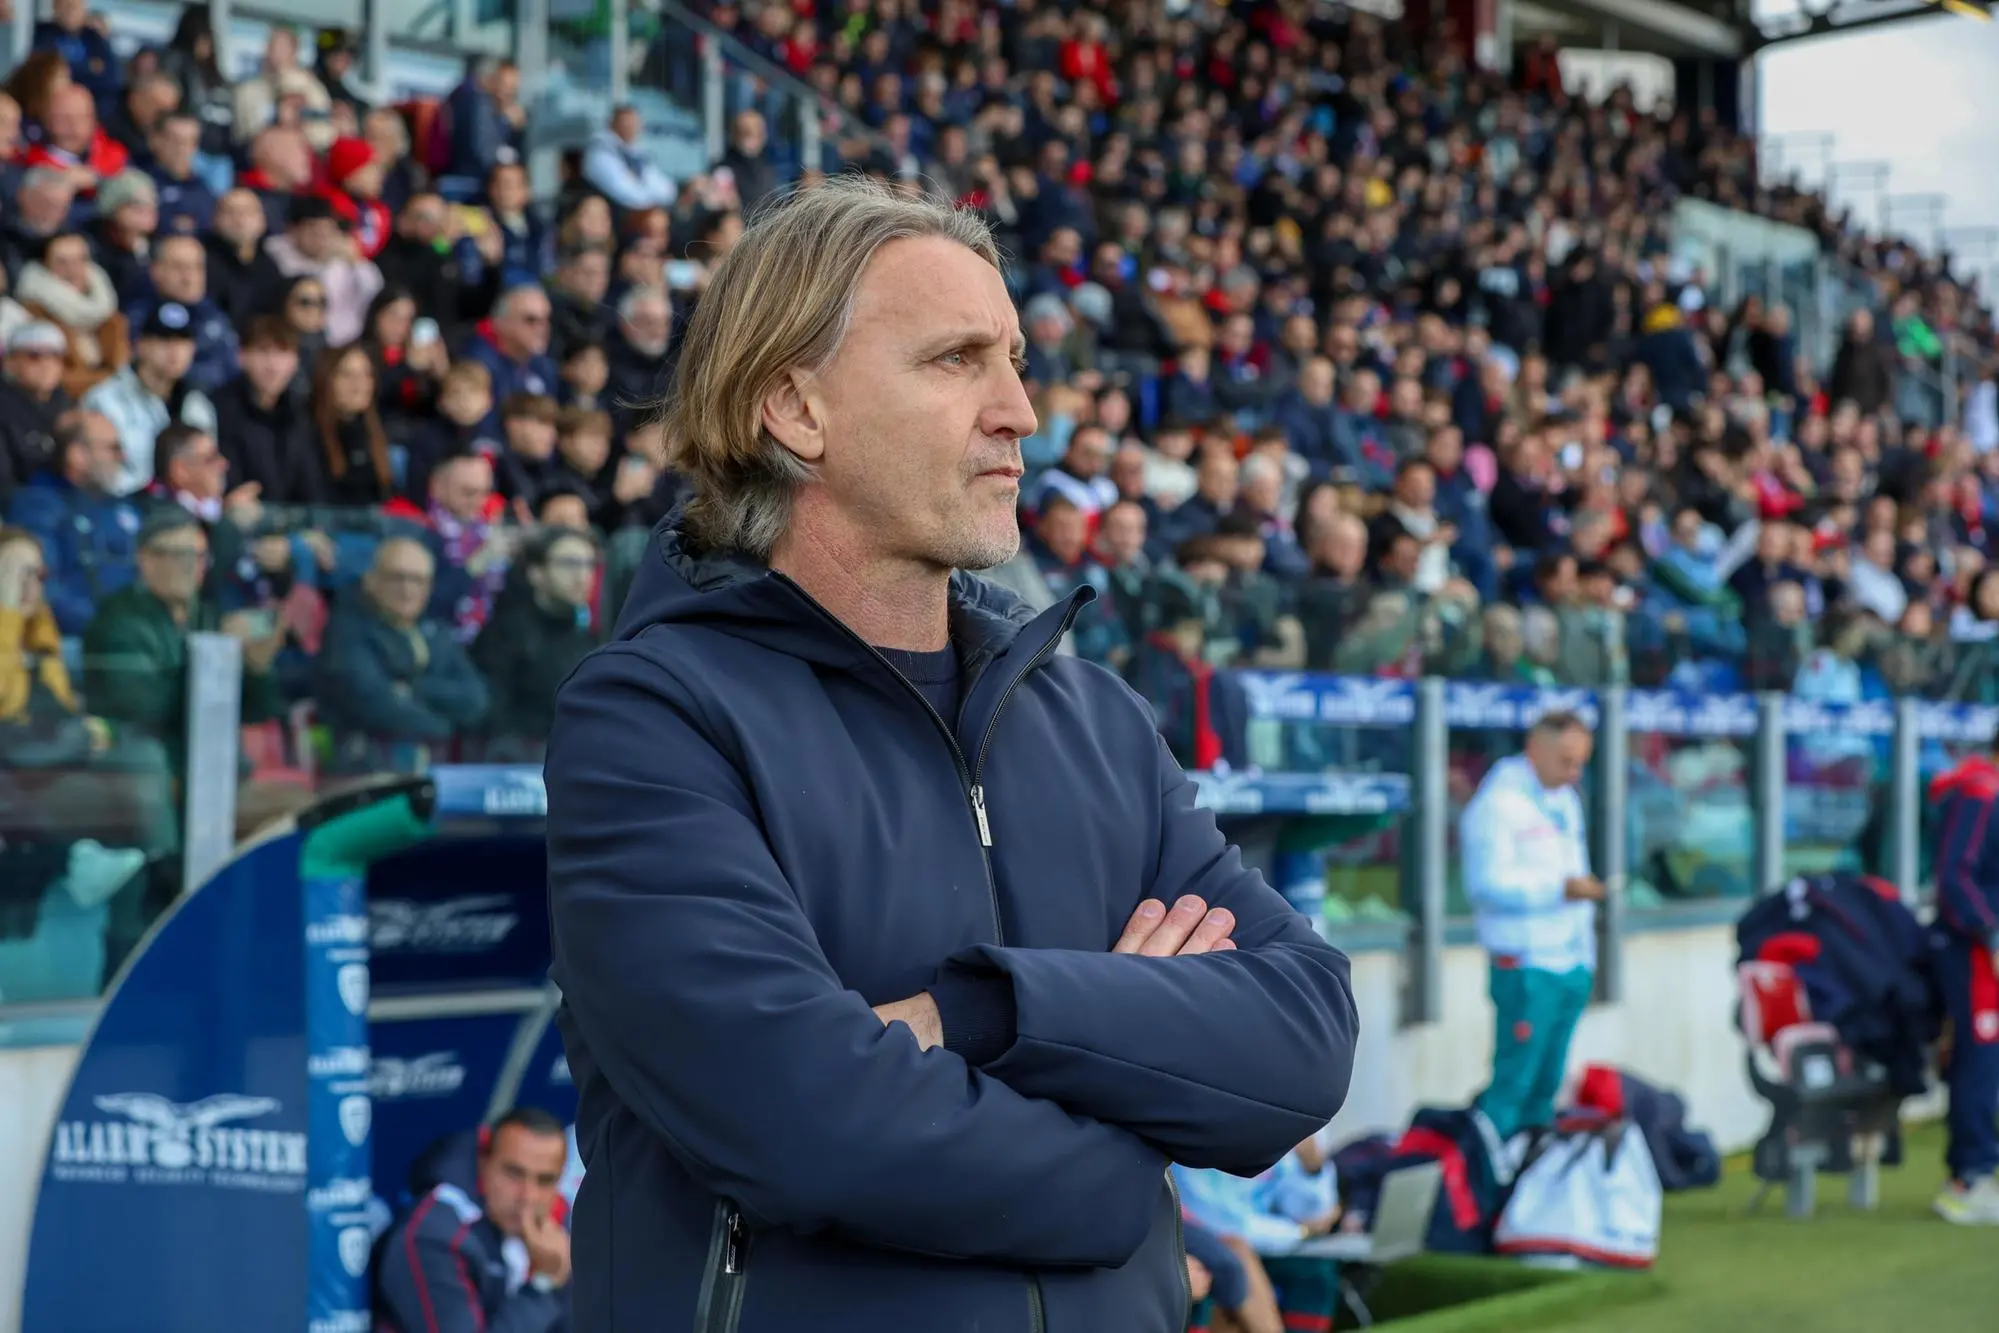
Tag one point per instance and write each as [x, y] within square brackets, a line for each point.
[1258, 1220]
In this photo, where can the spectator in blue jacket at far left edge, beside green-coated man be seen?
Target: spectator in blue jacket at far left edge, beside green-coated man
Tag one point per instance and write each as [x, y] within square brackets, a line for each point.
[87, 531]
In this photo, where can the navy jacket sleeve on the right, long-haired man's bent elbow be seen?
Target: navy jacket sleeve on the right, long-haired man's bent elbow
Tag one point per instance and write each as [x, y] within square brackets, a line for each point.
[1224, 1060]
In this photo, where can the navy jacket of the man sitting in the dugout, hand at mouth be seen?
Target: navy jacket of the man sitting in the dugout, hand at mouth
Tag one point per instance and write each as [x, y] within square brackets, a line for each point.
[443, 1272]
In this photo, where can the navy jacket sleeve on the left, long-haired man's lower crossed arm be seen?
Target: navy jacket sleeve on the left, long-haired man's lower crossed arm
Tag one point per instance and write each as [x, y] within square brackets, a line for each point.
[695, 980]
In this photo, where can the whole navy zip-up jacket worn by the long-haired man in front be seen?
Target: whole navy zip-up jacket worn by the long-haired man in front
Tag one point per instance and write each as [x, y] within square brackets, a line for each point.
[757, 830]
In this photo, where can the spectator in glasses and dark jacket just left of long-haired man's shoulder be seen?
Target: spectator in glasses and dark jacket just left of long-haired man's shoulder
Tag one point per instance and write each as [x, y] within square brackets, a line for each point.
[537, 637]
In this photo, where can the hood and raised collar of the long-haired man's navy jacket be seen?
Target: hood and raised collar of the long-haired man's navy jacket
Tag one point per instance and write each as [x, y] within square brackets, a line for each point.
[747, 601]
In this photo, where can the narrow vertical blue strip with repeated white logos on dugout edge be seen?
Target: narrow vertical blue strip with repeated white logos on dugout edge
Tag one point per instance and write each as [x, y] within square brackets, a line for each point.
[339, 1188]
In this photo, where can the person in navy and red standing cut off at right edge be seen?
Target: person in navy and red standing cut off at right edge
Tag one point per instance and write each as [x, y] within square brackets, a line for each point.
[1968, 966]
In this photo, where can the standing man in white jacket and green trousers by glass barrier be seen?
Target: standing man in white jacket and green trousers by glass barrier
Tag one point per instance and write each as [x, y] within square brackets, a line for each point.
[1536, 904]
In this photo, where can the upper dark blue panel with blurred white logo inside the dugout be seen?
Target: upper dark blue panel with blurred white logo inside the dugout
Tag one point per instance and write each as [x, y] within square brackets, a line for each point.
[461, 912]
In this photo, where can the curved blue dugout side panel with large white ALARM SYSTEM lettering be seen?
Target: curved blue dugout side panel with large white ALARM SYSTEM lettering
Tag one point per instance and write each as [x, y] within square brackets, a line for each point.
[183, 1140]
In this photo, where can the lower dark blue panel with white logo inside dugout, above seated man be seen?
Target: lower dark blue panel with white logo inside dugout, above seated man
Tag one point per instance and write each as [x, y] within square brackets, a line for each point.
[431, 1080]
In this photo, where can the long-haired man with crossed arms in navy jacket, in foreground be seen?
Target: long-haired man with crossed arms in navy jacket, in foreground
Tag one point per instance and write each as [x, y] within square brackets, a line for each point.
[897, 956]
